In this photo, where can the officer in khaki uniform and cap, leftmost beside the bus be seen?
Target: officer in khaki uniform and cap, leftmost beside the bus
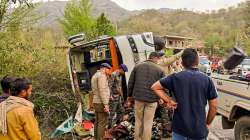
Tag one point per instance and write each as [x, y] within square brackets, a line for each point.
[101, 92]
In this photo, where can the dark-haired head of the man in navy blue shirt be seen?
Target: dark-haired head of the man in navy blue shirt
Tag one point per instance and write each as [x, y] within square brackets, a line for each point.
[190, 58]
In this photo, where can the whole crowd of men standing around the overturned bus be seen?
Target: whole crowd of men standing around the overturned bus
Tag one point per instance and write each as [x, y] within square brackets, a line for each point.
[167, 84]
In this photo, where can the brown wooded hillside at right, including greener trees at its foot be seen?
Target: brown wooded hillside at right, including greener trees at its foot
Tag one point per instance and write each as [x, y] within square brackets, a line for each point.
[219, 29]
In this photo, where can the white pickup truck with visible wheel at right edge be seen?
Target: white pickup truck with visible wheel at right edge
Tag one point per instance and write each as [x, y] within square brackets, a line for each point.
[234, 105]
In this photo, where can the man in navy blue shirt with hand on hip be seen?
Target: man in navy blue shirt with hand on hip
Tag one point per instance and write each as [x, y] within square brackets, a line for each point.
[191, 91]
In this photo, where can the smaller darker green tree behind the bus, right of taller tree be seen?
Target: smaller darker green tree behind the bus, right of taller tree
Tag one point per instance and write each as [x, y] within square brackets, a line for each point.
[104, 26]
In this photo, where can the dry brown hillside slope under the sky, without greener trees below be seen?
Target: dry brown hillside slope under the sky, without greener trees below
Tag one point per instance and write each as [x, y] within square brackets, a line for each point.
[181, 22]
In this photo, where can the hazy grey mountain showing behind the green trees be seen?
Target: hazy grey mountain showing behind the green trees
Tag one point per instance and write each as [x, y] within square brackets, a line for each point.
[53, 10]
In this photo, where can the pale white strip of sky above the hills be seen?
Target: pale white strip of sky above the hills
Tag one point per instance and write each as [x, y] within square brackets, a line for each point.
[197, 5]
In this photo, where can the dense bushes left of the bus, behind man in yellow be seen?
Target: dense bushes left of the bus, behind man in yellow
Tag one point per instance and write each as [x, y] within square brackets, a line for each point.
[29, 51]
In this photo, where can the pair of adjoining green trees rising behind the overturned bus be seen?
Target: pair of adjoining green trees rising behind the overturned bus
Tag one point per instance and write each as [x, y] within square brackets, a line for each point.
[77, 18]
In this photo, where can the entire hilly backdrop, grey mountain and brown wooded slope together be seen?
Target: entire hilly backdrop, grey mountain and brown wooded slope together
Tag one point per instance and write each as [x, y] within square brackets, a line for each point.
[221, 28]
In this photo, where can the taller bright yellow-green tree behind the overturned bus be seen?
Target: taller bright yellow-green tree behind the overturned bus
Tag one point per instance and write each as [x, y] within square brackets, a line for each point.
[77, 18]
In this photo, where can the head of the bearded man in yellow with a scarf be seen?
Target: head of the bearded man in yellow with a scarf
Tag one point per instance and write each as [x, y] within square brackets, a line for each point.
[21, 87]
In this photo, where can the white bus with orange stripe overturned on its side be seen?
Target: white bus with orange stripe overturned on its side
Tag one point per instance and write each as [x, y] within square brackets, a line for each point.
[86, 57]
